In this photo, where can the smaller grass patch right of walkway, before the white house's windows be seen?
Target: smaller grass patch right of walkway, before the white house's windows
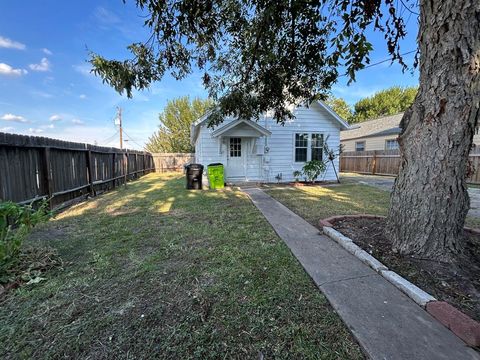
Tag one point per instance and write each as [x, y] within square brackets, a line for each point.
[318, 202]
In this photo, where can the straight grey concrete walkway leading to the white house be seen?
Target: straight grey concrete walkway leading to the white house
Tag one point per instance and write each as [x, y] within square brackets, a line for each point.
[386, 323]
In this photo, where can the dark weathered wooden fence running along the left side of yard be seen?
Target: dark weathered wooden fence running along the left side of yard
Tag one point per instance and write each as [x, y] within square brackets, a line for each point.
[33, 167]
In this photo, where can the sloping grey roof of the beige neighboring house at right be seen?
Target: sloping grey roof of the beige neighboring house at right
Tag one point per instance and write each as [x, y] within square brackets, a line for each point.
[387, 125]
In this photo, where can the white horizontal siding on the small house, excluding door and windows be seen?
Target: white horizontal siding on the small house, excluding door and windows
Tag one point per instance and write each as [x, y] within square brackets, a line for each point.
[280, 158]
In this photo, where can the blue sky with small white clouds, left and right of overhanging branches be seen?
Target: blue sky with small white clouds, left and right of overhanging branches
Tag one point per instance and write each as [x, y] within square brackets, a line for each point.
[46, 88]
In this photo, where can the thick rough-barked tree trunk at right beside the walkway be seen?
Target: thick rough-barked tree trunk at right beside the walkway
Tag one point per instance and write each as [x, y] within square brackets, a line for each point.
[430, 200]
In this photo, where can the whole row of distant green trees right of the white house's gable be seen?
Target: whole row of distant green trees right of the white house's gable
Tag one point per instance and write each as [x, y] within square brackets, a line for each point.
[386, 102]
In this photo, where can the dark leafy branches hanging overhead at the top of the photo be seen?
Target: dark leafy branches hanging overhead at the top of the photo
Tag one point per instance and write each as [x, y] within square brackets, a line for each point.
[258, 55]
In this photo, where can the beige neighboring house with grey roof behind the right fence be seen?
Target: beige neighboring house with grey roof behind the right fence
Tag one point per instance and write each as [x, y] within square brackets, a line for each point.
[377, 134]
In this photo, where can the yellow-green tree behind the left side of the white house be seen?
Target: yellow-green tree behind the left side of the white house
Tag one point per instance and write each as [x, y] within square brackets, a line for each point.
[173, 134]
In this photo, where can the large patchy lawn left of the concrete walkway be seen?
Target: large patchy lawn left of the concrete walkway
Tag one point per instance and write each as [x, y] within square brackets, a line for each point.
[155, 271]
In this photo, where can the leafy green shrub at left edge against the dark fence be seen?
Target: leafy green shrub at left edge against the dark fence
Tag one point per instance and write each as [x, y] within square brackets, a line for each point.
[16, 222]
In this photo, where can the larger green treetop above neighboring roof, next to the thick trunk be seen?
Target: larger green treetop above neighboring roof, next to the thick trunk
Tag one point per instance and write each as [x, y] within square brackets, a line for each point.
[383, 103]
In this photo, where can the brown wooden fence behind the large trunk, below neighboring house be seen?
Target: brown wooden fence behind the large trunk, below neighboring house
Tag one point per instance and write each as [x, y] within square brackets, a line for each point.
[387, 162]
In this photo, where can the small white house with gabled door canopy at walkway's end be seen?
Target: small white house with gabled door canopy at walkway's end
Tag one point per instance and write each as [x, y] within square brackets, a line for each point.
[265, 151]
